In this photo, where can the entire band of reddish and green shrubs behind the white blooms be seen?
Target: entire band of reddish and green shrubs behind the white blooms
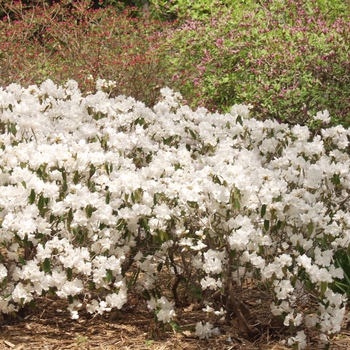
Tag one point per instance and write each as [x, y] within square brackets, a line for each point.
[288, 59]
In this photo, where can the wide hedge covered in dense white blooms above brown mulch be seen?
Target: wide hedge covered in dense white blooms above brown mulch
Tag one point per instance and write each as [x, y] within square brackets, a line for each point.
[99, 195]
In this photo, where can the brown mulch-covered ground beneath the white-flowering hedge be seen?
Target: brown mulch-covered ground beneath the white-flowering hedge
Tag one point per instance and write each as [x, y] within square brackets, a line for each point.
[49, 326]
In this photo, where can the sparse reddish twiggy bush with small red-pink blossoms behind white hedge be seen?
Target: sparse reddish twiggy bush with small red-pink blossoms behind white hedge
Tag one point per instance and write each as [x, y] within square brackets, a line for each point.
[68, 40]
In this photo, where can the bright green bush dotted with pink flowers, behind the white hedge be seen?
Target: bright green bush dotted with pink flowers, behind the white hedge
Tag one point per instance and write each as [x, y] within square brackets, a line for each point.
[287, 59]
